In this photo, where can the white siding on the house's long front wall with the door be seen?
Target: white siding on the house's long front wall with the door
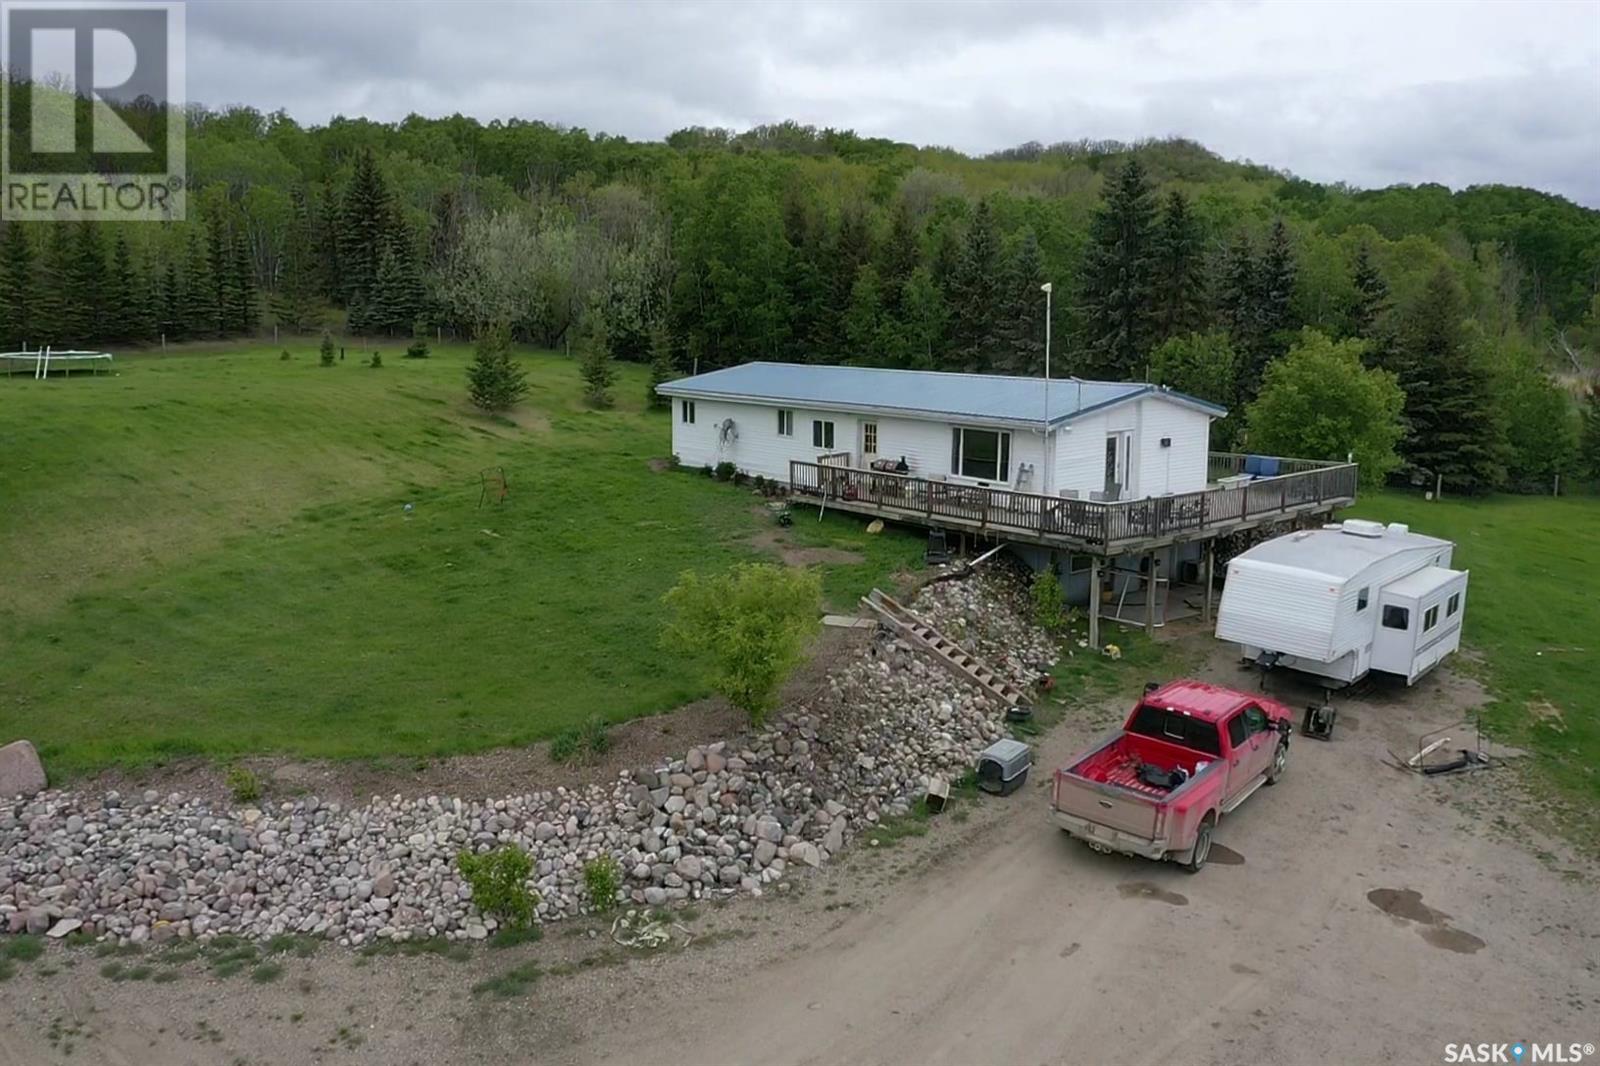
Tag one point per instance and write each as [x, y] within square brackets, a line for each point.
[761, 451]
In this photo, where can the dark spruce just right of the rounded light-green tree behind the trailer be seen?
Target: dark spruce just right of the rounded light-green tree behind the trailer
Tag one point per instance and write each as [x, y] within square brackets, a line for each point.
[1452, 430]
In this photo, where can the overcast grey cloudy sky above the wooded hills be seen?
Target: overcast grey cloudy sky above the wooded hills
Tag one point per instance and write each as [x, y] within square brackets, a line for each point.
[1364, 92]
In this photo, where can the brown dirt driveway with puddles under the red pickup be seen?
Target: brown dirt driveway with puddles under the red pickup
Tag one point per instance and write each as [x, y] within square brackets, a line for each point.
[1356, 915]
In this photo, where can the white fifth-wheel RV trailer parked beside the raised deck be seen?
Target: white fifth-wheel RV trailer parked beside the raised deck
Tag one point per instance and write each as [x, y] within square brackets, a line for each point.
[1346, 599]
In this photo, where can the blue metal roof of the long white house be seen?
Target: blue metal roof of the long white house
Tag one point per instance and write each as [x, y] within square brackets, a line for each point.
[919, 393]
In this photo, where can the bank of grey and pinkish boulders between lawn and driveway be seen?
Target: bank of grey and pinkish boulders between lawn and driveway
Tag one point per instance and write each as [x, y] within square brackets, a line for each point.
[726, 819]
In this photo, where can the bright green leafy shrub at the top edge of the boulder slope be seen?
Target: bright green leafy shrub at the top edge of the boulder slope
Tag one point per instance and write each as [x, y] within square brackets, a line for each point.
[750, 627]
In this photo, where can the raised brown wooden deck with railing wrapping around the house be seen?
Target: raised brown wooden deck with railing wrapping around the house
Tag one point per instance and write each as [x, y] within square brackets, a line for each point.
[1102, 529]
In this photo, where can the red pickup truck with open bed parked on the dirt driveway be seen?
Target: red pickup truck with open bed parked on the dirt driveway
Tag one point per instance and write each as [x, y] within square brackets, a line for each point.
[1190, 755]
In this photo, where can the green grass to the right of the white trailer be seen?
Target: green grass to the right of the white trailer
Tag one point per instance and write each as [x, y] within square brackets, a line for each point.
[1534, 617]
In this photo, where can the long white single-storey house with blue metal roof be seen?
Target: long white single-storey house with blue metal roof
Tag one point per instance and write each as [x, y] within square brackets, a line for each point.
[1066, 438]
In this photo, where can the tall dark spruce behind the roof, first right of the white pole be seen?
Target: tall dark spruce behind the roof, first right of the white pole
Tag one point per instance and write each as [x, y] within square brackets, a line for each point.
[1118, 287]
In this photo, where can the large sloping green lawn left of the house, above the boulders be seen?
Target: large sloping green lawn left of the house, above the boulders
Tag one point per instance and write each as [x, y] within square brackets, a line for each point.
[209, 555]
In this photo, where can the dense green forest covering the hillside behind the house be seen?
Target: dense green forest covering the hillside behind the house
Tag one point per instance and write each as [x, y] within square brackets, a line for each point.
[820, 246]
